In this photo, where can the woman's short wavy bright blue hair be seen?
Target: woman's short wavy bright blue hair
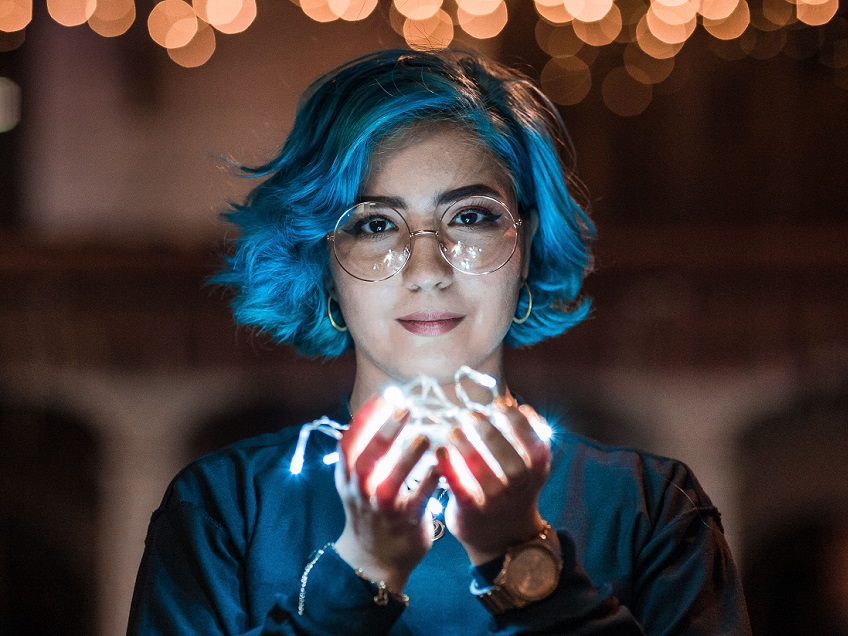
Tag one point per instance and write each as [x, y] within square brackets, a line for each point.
[279, 265]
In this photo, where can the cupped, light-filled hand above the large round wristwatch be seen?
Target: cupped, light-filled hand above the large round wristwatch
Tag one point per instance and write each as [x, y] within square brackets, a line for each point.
[503, 511]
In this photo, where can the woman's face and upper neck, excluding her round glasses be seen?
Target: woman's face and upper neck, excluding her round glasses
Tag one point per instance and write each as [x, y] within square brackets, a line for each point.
[430, 318]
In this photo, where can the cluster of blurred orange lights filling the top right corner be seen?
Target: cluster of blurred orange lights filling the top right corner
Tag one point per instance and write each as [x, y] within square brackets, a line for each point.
[647, 36]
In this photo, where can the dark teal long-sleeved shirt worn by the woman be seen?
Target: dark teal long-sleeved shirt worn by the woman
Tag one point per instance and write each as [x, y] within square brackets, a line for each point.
[225, 553]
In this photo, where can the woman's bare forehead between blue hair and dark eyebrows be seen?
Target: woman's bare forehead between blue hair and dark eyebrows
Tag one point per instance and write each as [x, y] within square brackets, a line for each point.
[431, 159]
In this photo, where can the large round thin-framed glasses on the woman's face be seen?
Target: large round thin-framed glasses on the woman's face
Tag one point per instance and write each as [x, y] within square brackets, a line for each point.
[477, 235]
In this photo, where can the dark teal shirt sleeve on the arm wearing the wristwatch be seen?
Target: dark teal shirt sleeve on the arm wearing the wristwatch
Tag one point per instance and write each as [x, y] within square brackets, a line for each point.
[684, 580]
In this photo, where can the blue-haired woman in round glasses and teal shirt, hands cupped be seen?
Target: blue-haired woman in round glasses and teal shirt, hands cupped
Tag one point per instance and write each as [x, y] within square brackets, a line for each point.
[420, 212]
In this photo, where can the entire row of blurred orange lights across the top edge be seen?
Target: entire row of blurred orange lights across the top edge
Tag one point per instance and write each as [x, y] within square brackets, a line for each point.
[642, 37]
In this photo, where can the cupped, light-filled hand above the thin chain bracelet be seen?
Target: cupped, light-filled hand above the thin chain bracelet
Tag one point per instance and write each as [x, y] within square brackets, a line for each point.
[387, 528]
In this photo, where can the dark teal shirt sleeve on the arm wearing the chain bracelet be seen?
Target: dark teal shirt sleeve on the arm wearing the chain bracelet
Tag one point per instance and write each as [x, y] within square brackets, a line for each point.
[191, 581]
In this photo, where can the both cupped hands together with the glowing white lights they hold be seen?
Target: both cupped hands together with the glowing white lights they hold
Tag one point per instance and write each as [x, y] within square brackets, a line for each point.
[495, 458]
